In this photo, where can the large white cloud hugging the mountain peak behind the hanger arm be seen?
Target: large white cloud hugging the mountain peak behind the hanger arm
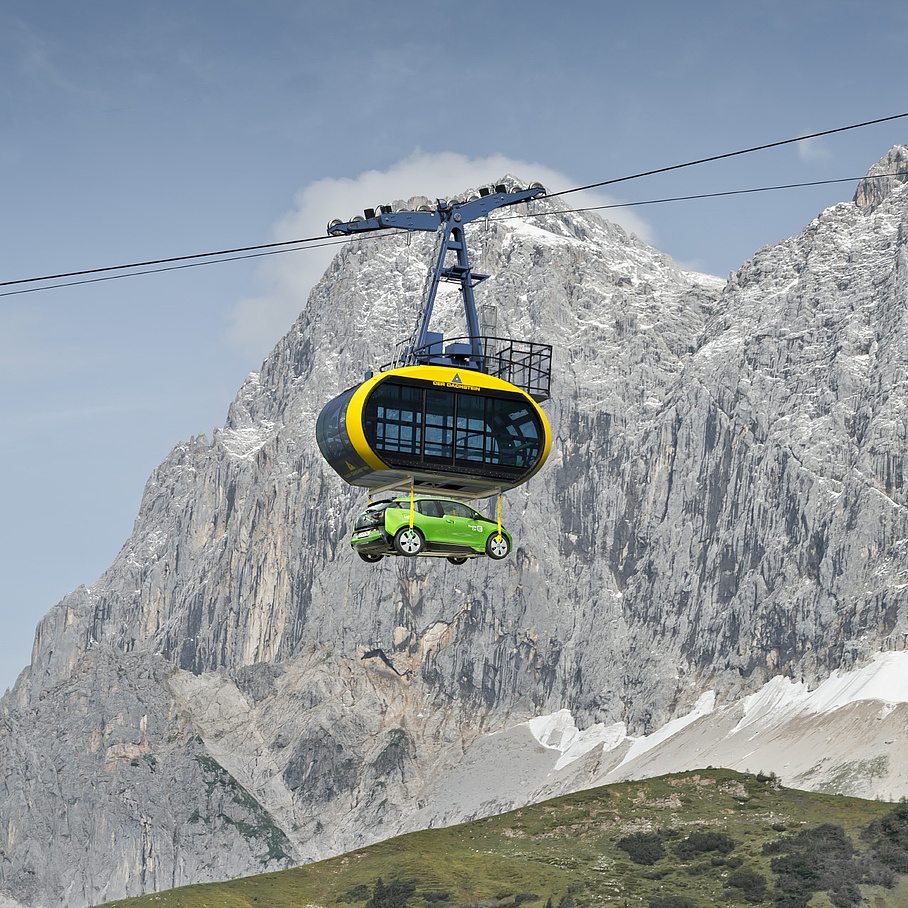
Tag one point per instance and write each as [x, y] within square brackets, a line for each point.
[257, 323]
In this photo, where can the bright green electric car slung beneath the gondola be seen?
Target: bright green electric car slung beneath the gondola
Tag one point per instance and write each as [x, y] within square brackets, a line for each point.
[442, 527]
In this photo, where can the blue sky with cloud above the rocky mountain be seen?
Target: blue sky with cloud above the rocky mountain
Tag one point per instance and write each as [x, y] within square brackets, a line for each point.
[138, 131]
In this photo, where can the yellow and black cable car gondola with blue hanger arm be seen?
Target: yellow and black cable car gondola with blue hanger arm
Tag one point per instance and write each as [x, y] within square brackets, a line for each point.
[461, 419]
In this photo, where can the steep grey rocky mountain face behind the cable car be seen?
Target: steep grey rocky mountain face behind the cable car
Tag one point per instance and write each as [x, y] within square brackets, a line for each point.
[724, 504]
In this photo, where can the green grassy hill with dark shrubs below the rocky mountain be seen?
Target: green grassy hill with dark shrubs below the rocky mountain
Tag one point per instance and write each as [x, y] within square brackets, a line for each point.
[712, 837]
